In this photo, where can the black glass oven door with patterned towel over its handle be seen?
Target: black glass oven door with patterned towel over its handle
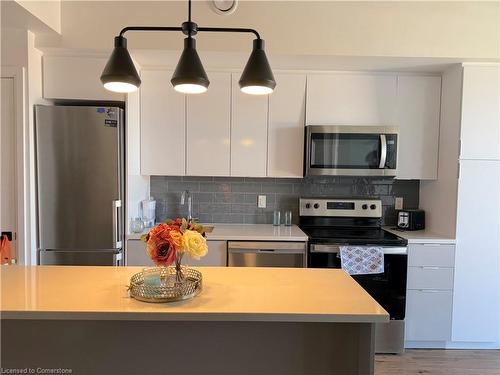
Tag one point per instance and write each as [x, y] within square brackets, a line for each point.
[388, 288]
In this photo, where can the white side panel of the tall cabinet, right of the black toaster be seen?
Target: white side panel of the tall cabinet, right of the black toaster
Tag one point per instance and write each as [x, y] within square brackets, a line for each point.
[439, 197]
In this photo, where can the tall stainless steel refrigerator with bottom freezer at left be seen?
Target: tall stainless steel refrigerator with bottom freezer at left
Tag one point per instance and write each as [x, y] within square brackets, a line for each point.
[80, 184]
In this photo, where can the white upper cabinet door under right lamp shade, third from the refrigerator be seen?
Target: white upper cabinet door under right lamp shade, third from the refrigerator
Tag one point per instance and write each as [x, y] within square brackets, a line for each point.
[248, 133]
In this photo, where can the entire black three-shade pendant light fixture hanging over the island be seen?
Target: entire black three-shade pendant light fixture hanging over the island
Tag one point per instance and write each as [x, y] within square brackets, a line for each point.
[189, 76]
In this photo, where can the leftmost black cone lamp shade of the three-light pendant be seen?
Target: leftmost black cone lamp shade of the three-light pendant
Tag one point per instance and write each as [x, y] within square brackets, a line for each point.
[119, 74]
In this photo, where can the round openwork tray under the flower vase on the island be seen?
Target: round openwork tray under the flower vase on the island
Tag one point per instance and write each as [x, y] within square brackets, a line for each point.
[163, 285]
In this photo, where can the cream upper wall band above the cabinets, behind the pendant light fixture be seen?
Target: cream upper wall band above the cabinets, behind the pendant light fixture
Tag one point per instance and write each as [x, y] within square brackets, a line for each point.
[404, 28]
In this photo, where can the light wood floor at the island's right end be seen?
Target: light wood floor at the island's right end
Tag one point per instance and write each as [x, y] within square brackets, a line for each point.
[440, 362]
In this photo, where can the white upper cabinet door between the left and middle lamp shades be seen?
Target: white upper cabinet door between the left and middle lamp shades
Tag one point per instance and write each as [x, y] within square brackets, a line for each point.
[163, 125]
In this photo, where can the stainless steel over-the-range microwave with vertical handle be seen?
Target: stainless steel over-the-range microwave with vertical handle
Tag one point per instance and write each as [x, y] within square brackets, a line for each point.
[351, 150]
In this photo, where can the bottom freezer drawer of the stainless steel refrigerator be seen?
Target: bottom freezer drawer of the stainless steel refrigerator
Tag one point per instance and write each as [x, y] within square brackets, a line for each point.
[80, 258]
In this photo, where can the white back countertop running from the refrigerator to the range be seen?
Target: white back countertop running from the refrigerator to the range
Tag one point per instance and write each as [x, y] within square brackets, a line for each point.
[249, 232]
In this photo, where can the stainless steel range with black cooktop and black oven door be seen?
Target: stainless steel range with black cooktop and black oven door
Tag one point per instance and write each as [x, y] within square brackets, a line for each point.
[331, 223]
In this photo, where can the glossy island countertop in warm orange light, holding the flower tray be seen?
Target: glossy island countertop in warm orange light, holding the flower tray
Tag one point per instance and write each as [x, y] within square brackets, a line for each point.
[229, 294]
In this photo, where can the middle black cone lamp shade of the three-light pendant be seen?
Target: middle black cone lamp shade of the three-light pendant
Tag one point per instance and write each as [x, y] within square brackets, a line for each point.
[190, 76]
